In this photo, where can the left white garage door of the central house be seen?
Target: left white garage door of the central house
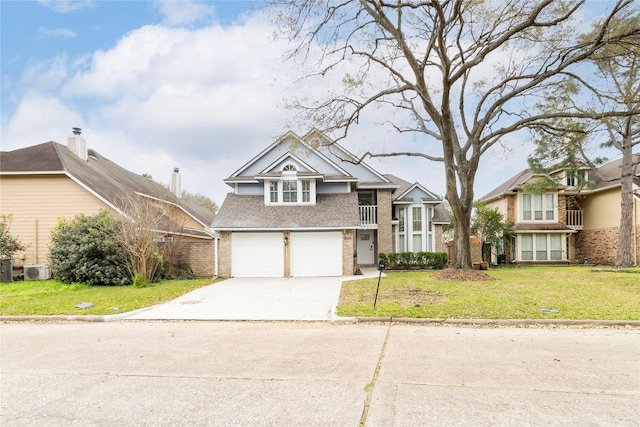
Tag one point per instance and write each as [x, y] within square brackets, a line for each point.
[257, 255]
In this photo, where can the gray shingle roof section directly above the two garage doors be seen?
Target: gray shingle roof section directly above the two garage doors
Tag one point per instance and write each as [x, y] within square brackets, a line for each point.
[249, 212]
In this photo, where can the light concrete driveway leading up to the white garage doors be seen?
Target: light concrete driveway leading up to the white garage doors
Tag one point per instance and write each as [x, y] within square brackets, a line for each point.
[313, 298]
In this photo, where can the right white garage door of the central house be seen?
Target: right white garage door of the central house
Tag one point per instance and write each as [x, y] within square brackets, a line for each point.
[316, 253]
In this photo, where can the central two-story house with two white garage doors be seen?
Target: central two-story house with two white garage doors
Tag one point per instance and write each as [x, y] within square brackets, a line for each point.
[303, 207]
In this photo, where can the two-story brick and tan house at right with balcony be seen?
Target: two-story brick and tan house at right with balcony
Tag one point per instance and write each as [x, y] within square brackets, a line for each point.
[567, 223]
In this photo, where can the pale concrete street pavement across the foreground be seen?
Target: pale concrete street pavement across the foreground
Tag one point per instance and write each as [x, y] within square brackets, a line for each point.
[231, 373]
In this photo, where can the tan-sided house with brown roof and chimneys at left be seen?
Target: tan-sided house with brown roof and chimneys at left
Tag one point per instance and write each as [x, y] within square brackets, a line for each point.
[43, 183]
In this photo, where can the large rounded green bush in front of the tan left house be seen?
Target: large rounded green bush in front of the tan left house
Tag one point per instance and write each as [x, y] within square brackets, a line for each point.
[85, 250]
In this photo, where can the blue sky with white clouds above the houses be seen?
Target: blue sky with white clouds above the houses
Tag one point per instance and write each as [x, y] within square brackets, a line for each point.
[154, 85]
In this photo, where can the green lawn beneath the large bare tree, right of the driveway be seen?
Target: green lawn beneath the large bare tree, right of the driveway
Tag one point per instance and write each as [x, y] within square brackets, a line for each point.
[577, 292]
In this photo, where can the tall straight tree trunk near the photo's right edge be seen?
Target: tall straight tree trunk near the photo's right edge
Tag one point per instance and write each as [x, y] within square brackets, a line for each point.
[623, 256]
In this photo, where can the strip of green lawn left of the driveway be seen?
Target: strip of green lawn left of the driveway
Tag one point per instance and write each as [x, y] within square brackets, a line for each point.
[52, 297]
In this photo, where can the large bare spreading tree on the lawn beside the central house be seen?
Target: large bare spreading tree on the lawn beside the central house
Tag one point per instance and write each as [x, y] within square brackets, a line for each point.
[467, 73]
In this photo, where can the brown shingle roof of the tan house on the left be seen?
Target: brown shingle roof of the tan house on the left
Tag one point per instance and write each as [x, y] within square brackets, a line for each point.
[98, 174]
